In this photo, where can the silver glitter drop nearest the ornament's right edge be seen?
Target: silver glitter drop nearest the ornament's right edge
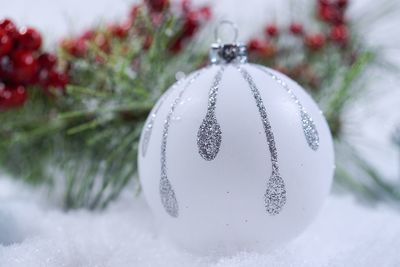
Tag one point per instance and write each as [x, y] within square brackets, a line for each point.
[309, 128]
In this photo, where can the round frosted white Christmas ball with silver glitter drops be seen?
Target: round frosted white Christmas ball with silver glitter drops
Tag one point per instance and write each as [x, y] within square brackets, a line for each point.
[235, 157]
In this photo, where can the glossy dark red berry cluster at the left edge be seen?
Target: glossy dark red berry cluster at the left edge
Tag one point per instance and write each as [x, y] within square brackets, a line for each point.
[23, 64]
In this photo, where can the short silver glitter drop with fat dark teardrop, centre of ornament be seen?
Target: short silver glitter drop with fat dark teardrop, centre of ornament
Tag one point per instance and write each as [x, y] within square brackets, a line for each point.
[209, 136]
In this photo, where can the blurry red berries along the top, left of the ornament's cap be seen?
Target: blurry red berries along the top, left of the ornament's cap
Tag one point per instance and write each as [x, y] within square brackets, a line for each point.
[157, 11]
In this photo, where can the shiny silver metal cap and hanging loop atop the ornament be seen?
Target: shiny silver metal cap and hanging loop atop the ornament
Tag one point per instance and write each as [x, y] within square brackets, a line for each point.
[222, 53]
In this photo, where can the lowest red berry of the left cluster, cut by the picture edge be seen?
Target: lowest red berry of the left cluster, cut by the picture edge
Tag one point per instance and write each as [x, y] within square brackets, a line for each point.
[12, 96]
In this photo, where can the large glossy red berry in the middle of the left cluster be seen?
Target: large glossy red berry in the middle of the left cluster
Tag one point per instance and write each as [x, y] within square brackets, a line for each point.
[24, 66]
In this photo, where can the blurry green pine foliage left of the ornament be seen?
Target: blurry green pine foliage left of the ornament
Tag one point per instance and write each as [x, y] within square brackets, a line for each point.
[88, 138]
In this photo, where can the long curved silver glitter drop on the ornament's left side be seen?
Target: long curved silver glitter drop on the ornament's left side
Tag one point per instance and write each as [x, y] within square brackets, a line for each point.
[167, 193]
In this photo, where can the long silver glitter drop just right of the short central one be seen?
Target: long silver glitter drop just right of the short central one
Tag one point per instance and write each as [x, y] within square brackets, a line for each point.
[275, 195]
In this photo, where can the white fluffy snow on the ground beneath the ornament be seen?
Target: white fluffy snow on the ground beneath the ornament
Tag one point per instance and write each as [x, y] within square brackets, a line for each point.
[33, 233]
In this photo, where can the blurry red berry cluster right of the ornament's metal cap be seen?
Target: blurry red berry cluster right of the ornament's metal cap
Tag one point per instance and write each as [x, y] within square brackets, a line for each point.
[333, 31]
